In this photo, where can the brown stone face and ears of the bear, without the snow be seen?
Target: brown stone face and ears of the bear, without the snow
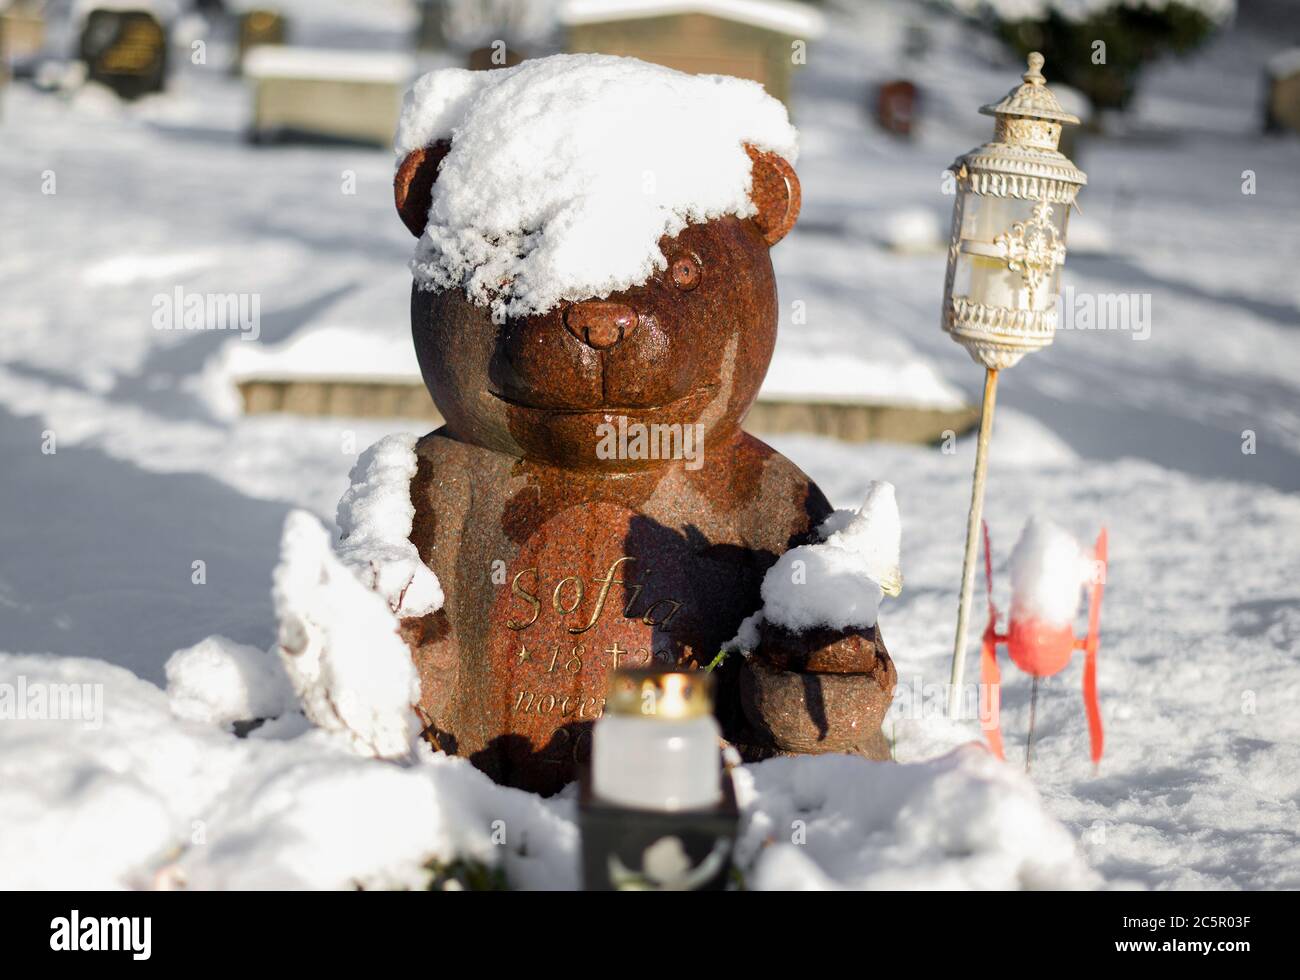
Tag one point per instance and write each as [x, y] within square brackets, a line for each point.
[690, 346]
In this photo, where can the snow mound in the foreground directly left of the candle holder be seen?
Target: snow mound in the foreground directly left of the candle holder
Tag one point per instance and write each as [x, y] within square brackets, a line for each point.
[337, 822]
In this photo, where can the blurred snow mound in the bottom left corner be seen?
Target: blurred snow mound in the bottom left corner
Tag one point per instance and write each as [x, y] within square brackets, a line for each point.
[94, 809]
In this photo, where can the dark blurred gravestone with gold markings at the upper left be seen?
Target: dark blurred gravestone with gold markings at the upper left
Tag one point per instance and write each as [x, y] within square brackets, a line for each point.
[125, 50]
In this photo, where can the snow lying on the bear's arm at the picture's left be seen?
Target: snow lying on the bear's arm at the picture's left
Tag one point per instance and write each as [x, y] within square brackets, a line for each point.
[375, 517]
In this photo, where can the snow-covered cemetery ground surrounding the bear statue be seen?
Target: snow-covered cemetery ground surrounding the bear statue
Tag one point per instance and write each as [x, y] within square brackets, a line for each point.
[154, 470]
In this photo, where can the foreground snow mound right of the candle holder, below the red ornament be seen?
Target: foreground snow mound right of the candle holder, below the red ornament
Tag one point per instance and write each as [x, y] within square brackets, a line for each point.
[961, 822]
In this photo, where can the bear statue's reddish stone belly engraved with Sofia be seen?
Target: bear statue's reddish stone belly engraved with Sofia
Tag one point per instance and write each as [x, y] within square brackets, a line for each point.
[591, 589]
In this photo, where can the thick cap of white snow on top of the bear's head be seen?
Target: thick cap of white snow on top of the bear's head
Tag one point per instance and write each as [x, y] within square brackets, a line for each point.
[565, 172]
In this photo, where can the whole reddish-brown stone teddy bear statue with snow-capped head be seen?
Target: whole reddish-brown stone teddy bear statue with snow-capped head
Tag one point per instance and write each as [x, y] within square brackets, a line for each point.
[565, 550]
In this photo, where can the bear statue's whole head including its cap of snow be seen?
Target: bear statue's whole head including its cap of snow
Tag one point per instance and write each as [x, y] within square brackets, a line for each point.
[593, 237]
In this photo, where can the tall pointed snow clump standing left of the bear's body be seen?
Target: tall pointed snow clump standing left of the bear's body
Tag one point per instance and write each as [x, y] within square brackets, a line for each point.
[340, 645]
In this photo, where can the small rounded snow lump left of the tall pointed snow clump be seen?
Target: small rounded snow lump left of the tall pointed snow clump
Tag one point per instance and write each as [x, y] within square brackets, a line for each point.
[219, 682]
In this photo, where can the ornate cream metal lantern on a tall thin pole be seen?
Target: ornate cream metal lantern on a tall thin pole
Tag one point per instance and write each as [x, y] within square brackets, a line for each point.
[1015, 197]
